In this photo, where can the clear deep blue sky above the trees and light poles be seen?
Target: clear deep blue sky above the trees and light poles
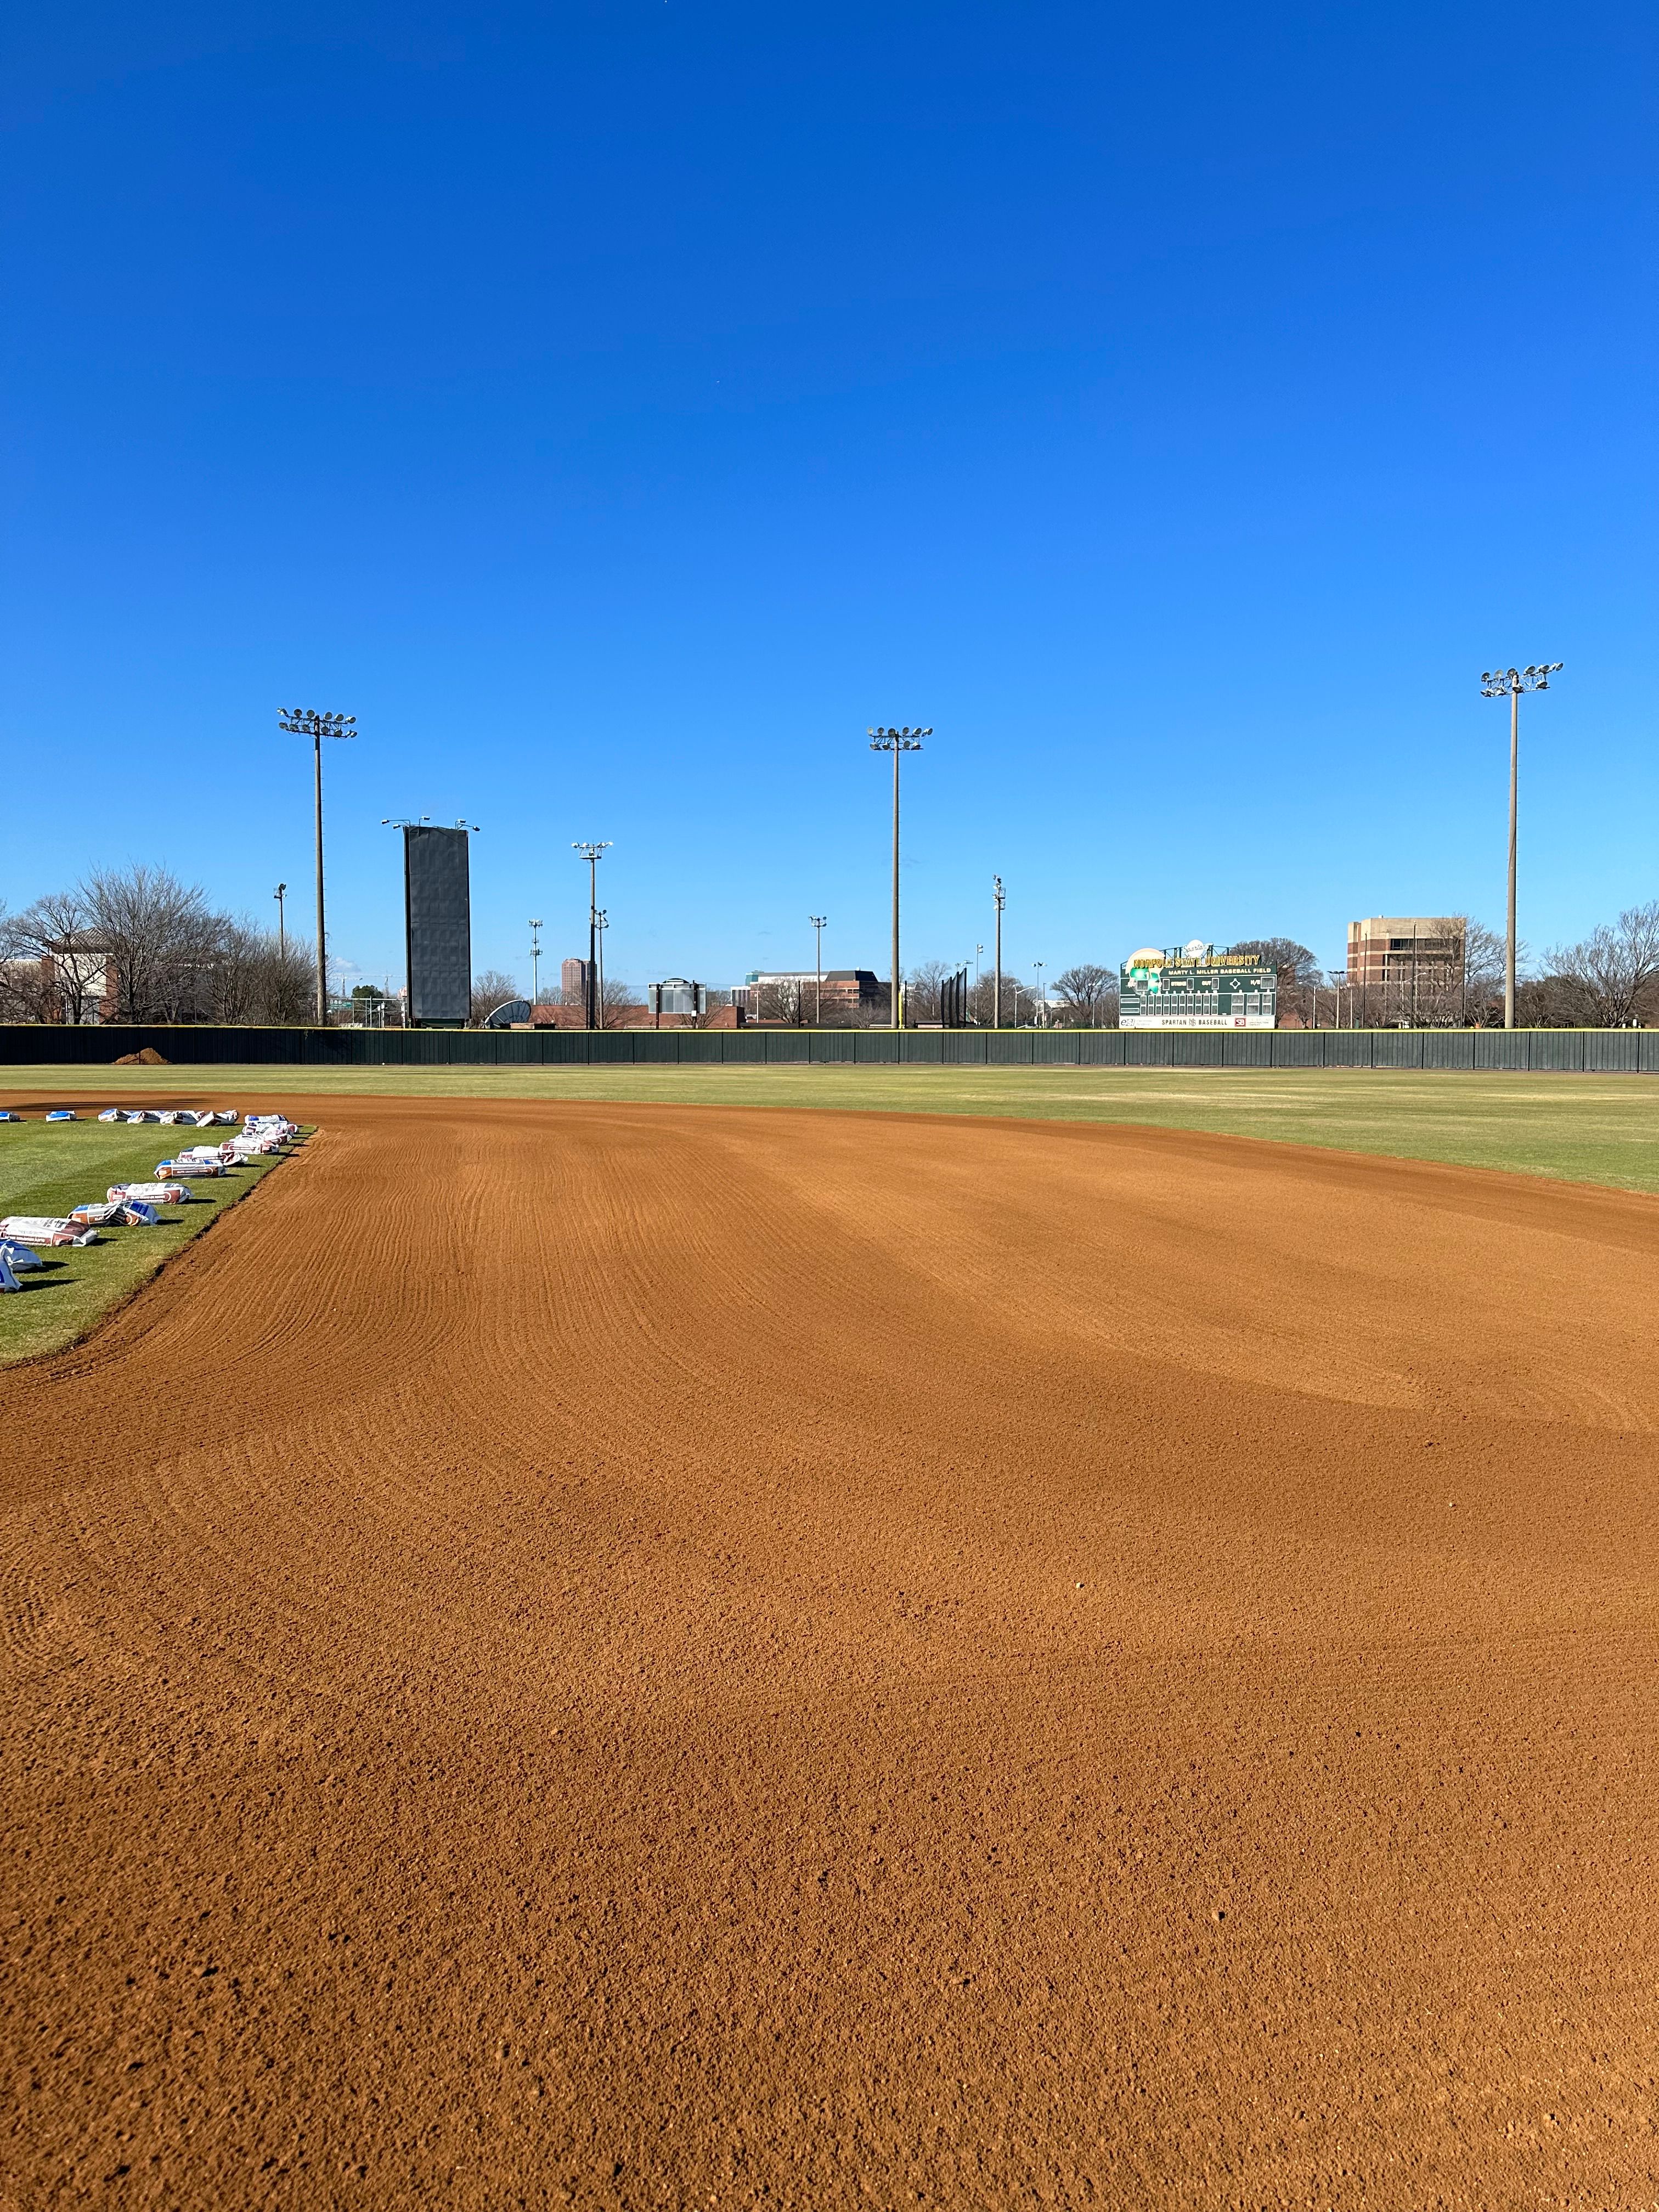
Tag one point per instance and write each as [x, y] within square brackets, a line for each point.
[623, 406]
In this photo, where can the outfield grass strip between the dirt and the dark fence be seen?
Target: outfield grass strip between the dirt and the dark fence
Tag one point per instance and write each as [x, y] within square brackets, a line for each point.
[1592, 1129]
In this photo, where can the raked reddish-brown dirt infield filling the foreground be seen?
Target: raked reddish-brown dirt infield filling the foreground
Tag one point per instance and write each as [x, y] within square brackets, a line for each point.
[676, 1658]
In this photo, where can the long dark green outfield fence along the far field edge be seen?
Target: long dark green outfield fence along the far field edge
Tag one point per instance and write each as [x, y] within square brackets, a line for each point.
[1567, 1052]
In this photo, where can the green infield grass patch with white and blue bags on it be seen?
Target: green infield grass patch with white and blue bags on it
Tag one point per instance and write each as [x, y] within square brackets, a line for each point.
[50, 1169]
